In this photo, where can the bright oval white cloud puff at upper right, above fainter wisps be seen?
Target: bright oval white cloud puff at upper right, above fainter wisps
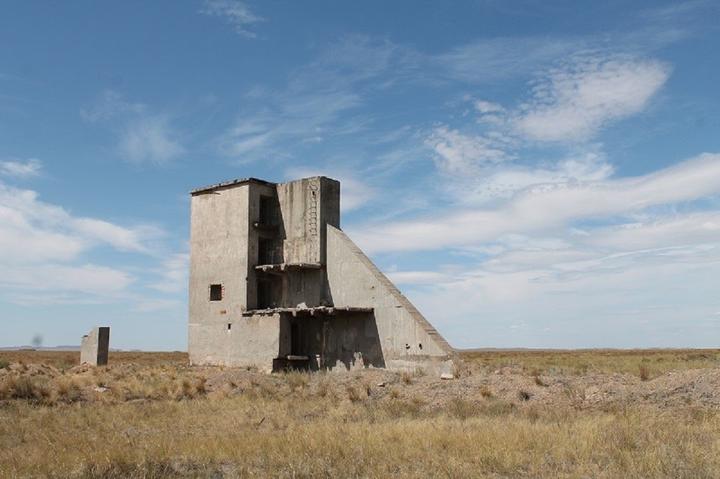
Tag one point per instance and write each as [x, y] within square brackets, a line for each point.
[575, 101]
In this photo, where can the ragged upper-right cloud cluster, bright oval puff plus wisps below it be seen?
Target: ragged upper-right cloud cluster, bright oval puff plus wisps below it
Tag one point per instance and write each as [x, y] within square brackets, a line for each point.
[570, 103]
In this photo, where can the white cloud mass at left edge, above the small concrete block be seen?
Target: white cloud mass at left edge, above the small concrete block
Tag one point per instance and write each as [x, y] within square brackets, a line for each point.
[43, 250]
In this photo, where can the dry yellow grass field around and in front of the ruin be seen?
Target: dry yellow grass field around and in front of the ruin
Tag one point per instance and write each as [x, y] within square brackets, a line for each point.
[573, 414]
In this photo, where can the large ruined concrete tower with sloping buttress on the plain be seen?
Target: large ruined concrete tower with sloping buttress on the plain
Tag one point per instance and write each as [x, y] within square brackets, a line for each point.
[274, 283]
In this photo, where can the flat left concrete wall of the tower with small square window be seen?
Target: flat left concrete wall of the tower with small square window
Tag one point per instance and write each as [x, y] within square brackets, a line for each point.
[219, 232]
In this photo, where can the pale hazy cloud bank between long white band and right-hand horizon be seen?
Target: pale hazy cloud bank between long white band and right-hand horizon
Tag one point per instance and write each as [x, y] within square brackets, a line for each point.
[650, 280]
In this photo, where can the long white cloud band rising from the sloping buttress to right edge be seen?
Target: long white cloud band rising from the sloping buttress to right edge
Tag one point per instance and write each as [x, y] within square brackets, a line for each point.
[548, 206]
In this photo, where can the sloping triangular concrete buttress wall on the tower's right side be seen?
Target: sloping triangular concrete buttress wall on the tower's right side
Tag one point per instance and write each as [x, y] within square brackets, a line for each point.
[405, 336]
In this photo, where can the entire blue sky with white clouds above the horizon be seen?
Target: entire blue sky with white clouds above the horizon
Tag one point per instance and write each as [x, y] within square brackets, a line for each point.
[531, 174]
